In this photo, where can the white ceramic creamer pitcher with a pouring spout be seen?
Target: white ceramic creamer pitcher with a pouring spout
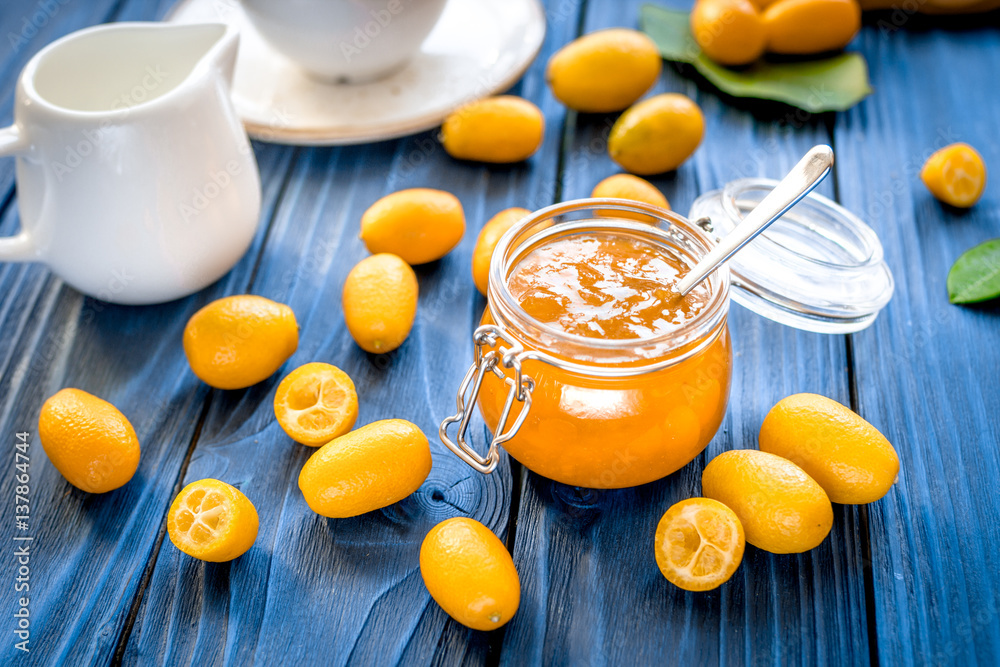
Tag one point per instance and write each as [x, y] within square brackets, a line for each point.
[135, 179]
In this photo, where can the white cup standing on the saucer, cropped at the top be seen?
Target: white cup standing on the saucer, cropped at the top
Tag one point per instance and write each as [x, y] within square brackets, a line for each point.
[351, 41]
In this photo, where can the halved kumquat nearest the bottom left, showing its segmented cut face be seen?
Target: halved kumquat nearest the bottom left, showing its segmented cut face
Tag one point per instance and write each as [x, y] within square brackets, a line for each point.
[212, 521]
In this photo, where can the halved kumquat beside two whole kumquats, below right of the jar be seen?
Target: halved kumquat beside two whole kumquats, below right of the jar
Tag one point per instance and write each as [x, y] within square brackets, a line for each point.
[699, 544]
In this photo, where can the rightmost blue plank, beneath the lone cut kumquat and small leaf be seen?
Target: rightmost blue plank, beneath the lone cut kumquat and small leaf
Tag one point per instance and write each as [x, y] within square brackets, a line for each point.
[926, 373]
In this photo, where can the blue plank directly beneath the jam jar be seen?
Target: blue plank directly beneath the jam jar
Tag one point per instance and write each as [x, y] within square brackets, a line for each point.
[592, 591]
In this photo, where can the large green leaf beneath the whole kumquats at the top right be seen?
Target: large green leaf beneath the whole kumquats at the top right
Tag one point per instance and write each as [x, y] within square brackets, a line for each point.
[827, 84]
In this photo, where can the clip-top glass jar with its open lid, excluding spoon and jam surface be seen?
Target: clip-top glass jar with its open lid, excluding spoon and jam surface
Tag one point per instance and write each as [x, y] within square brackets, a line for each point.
[606, 413]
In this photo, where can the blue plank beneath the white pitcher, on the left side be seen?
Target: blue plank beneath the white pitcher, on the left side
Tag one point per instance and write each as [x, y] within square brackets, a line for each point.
[90, 552]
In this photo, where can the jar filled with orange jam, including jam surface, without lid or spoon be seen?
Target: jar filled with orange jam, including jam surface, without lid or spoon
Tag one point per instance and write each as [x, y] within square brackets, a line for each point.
[627, 381]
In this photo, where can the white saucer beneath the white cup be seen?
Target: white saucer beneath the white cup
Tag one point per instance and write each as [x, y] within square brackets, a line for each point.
[477, 49]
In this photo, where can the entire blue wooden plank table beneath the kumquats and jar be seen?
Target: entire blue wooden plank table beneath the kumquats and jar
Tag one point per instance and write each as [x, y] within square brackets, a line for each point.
[911, 579]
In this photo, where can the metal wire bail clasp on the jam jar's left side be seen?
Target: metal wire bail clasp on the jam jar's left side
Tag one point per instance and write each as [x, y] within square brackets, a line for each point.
[520, 387]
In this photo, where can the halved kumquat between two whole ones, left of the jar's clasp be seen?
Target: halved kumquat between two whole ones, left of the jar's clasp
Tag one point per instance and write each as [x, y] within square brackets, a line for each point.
[316, 403]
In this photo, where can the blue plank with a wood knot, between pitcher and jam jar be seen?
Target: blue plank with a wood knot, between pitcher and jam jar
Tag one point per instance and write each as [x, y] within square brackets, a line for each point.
[346, 590]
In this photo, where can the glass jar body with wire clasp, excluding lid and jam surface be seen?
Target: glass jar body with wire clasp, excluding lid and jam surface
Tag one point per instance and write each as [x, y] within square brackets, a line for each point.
[590, 411]
